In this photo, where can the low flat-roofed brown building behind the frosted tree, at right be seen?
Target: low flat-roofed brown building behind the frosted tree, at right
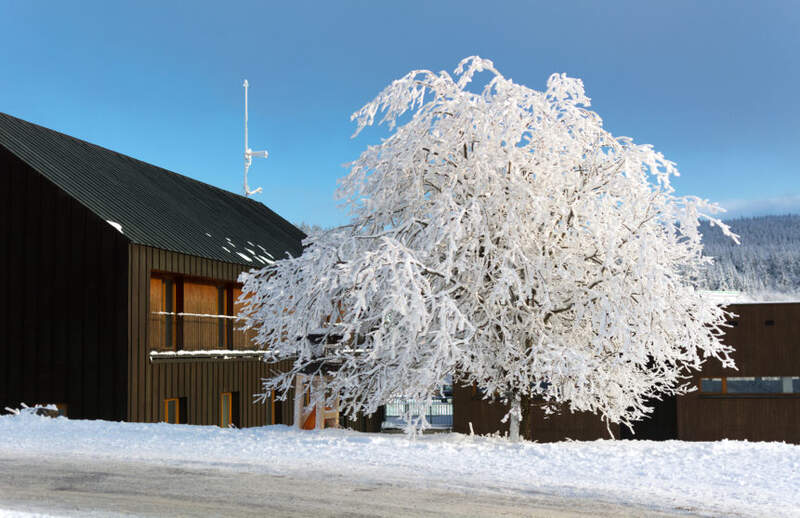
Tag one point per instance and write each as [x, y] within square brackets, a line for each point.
[758, 402]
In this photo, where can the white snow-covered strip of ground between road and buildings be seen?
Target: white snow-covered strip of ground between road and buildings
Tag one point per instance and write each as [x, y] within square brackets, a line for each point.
[723, 478]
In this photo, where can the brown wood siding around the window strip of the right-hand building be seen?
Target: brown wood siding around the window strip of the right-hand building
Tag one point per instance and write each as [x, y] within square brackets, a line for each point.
[760, 350]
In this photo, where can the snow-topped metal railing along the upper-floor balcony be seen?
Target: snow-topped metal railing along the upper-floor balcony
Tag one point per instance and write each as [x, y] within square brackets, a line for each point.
[197, 332]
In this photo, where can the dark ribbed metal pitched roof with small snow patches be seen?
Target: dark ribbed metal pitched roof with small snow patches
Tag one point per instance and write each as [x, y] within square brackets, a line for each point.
[154, 206]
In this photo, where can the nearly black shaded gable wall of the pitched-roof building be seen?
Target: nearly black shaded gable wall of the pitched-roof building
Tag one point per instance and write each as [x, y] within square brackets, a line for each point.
[63, 303]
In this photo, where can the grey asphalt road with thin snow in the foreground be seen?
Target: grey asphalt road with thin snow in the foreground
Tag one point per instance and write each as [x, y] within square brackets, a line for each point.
[89, 487]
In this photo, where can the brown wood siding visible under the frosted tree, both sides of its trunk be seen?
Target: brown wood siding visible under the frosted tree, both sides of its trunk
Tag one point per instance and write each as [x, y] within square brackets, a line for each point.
[486, 418]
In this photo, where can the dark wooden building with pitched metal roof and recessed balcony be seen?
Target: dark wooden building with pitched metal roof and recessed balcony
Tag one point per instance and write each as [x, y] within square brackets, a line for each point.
[120, 283]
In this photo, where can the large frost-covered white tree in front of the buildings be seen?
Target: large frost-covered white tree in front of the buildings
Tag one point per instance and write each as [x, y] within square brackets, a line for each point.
[503, 236]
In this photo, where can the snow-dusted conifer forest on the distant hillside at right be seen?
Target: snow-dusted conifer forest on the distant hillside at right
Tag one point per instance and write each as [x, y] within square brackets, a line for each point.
[767, 263]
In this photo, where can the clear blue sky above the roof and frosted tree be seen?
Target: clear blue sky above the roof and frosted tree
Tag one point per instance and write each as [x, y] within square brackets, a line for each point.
[713, 85]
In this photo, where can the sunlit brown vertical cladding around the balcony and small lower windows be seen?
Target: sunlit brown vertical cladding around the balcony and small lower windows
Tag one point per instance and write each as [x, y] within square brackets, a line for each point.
[202, 380]
